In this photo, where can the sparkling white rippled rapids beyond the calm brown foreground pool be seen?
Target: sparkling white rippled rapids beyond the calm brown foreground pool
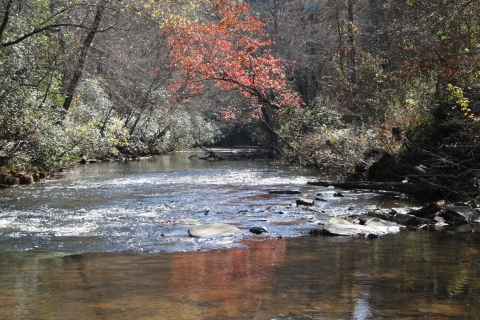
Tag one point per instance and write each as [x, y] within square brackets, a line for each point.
[136, 206]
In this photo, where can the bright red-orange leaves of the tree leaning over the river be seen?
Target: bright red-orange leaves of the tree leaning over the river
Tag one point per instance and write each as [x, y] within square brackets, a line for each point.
[231, 51]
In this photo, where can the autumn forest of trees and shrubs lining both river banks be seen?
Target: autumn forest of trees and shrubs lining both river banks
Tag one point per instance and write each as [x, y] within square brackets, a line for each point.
[362, 90]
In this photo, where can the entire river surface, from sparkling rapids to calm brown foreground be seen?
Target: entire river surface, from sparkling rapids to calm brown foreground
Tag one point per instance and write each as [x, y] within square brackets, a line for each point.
[107, 242]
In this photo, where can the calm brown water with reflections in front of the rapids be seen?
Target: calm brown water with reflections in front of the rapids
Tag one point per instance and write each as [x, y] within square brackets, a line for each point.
[404, 276]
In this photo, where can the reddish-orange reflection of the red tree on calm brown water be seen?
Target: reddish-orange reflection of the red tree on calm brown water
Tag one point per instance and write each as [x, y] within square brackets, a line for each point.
[231, 280]
